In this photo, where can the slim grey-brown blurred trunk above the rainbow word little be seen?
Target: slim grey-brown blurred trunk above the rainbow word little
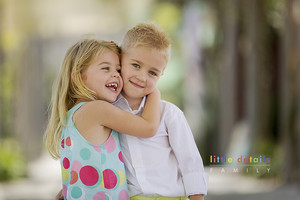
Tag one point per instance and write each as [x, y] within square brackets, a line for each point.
[227, 101]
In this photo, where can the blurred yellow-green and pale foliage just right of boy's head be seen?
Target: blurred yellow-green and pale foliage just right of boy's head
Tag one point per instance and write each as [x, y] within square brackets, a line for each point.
[170, 84]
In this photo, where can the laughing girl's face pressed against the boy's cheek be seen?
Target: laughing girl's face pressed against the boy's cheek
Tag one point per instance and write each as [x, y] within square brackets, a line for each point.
[103, 76]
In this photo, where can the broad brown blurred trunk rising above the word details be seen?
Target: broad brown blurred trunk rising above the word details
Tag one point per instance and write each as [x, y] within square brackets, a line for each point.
[258, 74]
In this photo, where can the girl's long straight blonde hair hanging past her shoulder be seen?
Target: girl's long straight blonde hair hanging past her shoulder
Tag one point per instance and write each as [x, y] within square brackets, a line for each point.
[70, 87]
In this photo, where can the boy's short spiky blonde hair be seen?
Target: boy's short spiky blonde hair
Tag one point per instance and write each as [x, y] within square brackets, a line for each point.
[147, 34]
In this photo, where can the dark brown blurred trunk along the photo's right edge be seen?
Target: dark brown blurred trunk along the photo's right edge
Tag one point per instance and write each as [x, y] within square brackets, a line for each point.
[290, 49]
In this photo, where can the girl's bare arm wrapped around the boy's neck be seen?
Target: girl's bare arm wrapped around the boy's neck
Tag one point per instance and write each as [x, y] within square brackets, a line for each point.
[141, 126]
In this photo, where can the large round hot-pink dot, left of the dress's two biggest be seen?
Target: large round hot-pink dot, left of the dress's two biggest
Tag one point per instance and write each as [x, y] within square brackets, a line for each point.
[89, 175]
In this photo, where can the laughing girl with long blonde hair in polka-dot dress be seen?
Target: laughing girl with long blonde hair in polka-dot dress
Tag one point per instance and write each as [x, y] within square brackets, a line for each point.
[81, 122]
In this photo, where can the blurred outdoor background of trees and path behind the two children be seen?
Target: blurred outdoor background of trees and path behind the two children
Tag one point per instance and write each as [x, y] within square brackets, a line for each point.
[234, 71]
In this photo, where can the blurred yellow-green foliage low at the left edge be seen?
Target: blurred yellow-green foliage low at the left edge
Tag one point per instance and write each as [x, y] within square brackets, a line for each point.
[12, 162]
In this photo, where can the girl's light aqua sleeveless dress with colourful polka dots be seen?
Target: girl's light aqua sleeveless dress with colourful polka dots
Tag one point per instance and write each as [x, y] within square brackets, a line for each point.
[91, 172]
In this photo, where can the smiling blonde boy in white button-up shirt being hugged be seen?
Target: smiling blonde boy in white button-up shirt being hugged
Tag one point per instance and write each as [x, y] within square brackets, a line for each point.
[167, 165]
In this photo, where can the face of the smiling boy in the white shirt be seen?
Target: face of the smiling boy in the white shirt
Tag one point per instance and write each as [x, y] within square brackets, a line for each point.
[141, 69]
